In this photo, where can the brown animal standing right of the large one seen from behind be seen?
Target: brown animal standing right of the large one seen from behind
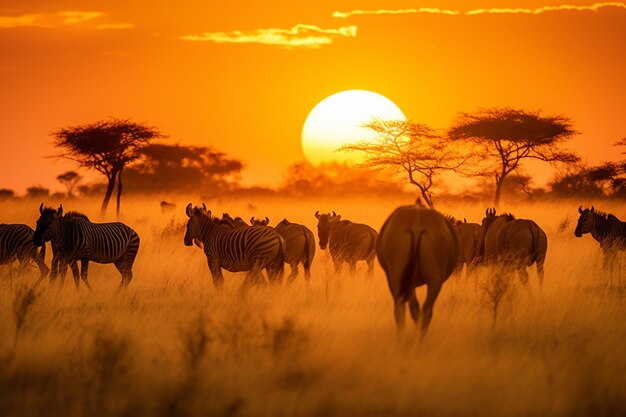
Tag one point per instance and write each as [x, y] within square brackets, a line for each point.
[516, 243]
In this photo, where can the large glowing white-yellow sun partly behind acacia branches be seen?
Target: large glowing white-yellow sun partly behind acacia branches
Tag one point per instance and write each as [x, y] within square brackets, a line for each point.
[338, 120]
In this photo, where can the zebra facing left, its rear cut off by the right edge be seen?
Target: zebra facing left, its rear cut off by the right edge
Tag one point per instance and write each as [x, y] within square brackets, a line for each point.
[607, 229]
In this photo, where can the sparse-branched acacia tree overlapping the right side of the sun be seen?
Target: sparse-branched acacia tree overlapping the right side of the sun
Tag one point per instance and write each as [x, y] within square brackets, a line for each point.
[410, 148]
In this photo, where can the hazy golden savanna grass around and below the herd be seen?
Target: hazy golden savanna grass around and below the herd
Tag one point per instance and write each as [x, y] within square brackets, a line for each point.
[170, 345]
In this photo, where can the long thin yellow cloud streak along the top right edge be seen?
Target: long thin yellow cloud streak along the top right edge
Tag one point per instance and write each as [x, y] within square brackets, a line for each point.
[564, 7]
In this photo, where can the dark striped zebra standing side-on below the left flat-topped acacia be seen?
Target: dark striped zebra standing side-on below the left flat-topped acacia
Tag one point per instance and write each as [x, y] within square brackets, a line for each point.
[78, 239]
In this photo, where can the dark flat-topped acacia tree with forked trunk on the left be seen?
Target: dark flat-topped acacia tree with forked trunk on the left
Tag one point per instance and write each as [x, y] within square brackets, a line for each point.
[107, 146]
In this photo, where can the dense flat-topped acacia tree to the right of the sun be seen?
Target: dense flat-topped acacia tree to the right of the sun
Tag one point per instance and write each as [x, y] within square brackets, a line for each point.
[506, 137]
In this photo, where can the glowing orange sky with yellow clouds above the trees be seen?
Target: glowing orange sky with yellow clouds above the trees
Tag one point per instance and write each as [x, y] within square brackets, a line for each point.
[181, 66]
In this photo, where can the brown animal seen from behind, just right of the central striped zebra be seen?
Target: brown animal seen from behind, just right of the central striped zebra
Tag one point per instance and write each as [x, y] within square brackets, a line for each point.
[299, 245]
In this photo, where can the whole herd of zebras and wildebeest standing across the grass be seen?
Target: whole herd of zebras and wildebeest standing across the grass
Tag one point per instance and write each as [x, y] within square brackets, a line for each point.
[416, 246]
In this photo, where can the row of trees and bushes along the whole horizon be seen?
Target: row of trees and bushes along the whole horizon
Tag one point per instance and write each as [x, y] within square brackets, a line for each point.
[489, 146]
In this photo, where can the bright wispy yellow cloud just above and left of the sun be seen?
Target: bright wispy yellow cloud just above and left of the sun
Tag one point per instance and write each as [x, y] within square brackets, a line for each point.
[301, 35]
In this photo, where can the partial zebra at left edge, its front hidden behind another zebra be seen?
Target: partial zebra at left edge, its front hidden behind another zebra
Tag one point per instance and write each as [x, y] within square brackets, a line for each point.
[16, 244]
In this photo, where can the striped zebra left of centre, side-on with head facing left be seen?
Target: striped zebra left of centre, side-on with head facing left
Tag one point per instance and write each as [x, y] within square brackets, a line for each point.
[250, 249]
